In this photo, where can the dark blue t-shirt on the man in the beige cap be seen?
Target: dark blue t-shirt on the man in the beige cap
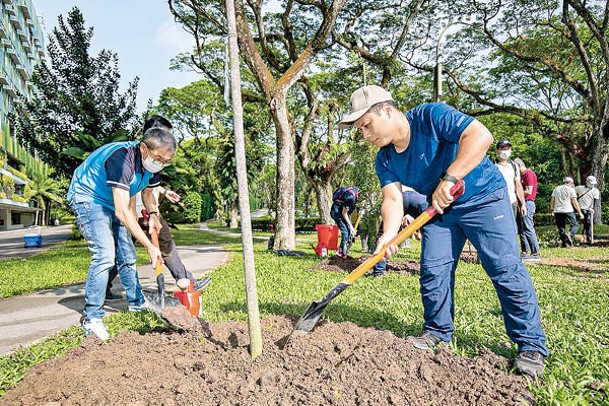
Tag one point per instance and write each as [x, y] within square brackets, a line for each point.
[435, 130]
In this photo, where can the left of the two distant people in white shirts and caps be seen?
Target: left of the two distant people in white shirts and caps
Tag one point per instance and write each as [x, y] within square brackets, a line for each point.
[563, 205]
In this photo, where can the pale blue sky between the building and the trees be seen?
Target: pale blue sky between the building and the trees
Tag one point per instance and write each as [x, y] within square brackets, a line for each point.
[141, 32]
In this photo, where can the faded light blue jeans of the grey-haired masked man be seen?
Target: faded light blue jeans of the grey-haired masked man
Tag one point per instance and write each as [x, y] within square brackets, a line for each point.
[109, 242]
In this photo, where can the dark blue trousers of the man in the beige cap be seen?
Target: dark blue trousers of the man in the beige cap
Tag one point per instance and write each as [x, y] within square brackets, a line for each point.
[489, 224]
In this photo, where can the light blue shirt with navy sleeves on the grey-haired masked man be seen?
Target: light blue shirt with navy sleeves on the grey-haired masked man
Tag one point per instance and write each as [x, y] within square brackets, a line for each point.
[118, 164]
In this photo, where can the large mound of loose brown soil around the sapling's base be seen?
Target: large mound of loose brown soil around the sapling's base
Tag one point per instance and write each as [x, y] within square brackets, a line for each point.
[339, 364]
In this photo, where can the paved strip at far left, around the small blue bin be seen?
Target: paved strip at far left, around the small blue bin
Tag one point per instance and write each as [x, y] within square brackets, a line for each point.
[12, 243]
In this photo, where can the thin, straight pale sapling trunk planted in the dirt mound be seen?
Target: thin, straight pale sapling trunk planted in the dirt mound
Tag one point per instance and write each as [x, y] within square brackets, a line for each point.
[251, 291]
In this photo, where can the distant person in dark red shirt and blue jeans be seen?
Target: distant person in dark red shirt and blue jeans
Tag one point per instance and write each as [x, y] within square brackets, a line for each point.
[528, 239]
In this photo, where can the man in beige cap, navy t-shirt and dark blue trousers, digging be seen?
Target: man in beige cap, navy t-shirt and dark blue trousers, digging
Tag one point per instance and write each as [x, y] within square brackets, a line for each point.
[429, 149]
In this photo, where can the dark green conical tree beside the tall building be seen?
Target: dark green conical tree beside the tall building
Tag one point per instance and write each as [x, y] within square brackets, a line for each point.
[75, 94]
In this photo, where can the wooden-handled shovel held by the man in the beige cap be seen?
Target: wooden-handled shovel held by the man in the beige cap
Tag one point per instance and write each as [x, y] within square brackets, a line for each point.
[312, 314]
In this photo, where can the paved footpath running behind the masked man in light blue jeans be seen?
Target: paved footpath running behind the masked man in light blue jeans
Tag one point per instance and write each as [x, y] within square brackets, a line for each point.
[27, 319]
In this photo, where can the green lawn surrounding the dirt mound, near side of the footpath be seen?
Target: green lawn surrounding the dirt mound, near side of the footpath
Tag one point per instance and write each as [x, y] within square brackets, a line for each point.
[573, 303]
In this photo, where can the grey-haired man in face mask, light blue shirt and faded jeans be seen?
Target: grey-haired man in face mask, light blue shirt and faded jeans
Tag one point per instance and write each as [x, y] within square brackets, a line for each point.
[102, 195]
